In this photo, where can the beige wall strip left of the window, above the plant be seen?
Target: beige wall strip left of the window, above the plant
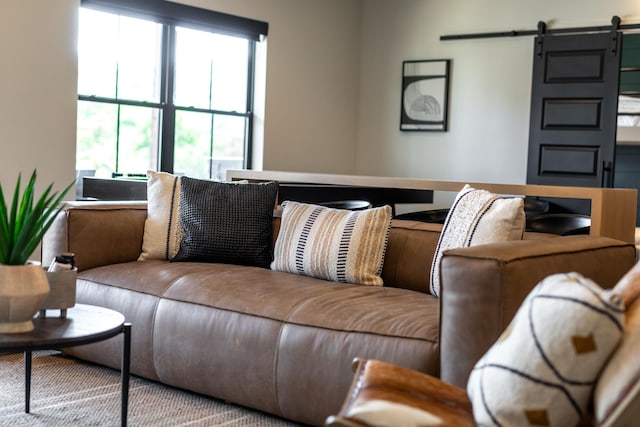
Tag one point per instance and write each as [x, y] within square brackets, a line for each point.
[38, 69]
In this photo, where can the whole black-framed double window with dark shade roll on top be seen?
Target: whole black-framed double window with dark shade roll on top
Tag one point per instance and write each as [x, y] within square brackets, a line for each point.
[164, 87]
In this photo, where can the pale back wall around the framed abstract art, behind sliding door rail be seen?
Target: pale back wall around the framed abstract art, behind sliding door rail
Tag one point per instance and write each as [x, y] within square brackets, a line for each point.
[490, 83]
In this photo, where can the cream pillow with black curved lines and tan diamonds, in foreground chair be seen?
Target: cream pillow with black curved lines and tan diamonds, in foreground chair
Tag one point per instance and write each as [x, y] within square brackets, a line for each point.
[543, 368]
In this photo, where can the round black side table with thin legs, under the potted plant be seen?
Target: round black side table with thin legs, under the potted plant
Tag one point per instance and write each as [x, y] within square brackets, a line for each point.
[84, 324]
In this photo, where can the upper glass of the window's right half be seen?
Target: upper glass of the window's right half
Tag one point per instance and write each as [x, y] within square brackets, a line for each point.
[211, 71]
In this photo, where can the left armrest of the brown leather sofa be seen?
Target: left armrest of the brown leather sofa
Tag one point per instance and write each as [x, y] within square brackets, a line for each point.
[98, 233]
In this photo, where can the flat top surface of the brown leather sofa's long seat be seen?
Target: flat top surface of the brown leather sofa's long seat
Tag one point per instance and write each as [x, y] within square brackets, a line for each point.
[279, 296]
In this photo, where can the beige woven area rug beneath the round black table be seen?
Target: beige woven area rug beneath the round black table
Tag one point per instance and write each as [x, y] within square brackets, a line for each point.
[69, 392]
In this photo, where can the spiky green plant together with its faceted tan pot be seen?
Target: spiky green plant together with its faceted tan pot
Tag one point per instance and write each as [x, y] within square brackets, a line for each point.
[23, 285]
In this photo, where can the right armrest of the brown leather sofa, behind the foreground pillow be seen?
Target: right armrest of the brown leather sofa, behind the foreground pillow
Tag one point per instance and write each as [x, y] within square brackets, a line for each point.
[483, 287]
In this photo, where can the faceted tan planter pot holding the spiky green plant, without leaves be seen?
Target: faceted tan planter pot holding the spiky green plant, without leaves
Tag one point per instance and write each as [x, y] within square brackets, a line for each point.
[23, 291]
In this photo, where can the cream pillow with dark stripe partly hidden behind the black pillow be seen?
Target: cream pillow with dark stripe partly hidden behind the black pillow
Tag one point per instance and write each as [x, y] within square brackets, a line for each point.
[162, 229]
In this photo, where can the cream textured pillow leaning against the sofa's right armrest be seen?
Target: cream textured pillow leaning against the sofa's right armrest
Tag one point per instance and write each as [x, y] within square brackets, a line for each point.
[477, 217]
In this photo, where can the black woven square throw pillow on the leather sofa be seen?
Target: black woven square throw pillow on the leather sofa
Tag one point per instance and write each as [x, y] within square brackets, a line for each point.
[226, 223]
